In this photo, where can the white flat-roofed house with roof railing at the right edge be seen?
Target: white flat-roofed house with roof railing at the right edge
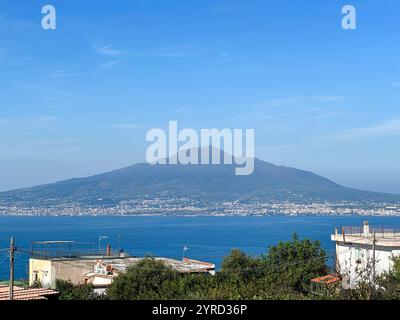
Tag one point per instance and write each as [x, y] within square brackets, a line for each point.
[362, 253]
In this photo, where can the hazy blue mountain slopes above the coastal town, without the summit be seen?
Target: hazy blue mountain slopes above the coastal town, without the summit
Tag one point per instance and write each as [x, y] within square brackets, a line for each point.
[269, 182]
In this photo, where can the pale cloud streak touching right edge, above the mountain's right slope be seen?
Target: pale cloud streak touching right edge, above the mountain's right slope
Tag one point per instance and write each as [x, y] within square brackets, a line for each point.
[385, 128]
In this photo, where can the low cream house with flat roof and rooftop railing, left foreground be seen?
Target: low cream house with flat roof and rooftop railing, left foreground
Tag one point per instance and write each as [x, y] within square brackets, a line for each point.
[65, 260]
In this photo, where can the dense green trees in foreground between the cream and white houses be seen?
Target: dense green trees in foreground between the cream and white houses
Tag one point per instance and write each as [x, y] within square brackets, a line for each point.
[283, 273]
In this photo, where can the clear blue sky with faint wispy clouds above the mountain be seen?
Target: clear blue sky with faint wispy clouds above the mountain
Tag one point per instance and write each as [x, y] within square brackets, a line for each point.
[79, 100]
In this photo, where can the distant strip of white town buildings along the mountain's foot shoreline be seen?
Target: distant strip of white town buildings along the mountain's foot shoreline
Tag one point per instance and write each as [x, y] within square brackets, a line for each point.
[189, 206]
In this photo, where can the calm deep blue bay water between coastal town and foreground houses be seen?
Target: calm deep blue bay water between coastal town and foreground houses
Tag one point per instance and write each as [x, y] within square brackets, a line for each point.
[209, 238]
